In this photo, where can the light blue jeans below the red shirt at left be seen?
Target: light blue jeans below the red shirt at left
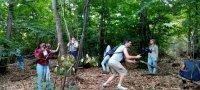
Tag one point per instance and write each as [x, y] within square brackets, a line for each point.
[43, 70]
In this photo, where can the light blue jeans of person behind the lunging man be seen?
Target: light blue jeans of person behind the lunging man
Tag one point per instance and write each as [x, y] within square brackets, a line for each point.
[104, 63]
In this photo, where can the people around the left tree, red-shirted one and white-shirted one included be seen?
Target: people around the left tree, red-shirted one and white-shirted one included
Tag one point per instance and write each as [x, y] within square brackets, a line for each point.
[43, 55]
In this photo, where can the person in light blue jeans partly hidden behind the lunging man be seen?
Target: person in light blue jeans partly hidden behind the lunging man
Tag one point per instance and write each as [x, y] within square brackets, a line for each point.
[104, 63]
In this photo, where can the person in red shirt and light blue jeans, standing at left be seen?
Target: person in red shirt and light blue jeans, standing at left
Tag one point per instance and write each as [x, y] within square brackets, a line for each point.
[42, 57]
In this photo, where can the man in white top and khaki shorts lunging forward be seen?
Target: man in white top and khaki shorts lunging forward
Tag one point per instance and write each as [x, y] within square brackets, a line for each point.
[116, 67]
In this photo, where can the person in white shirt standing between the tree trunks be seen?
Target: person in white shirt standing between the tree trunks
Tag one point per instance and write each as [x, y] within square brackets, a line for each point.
[73, 47]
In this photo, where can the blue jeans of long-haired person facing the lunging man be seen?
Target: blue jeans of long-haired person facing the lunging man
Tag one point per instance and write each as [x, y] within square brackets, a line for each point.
[152, 61]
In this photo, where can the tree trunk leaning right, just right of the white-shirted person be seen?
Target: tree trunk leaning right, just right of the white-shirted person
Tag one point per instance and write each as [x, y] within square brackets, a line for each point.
[86, 12]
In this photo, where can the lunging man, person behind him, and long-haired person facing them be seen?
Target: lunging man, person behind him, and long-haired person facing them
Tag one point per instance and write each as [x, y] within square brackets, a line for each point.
[112, 62]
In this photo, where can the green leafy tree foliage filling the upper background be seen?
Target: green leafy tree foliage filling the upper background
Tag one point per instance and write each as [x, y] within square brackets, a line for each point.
[34, 22]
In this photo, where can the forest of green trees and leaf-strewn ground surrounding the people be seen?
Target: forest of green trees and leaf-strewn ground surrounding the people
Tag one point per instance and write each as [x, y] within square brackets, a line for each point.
[24, 24]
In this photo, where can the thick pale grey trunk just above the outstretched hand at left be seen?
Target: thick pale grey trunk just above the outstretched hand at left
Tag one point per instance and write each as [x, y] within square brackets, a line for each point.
[58, 28]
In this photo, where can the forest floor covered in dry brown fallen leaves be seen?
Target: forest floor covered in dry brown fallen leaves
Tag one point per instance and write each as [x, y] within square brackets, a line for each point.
[92, 78]
